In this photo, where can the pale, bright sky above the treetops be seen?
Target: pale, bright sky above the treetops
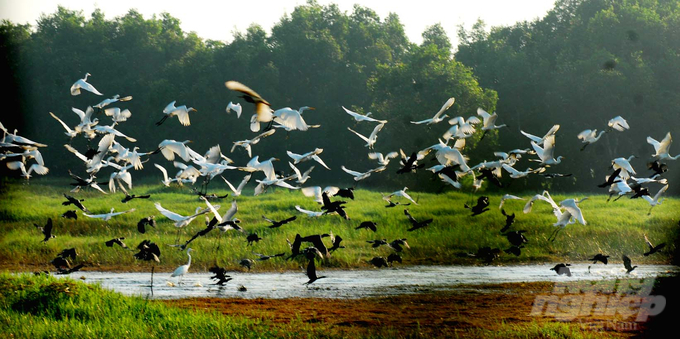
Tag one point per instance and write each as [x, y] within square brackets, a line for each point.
[217, 20]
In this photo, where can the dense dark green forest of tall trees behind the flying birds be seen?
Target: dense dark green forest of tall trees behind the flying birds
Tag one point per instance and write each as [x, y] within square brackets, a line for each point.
[584, 63]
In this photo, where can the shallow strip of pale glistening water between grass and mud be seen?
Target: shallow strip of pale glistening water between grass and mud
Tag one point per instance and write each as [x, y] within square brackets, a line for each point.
[354, 283]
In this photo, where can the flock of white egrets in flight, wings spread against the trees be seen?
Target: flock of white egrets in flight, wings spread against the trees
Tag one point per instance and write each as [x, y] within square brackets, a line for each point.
[24, 155]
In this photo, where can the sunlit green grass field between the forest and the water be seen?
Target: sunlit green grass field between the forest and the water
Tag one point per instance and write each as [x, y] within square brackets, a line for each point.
[613, 228]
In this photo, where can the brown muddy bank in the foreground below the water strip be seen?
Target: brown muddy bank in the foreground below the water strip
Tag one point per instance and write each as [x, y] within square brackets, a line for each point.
[468, 311]
